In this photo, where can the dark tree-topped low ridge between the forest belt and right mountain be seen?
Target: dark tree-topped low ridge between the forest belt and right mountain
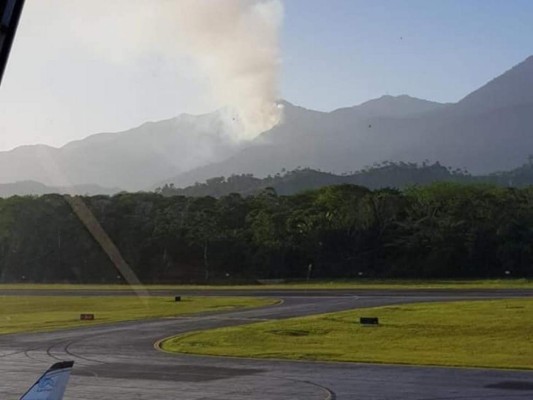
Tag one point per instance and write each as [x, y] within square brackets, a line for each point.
[397, 175]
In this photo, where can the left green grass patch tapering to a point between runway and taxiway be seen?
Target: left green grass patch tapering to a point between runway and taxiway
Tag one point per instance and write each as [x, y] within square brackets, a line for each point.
[44, 313]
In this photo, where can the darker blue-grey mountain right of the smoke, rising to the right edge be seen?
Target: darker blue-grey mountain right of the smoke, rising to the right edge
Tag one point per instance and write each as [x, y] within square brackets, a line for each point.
[490, 129]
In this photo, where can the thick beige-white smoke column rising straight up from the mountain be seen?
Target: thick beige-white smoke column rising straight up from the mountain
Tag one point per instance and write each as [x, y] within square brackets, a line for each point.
[235, 42]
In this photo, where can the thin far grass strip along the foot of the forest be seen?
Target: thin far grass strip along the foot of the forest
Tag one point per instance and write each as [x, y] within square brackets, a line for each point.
[333, 284]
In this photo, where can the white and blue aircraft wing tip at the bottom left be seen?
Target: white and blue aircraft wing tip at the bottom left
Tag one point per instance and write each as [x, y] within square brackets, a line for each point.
[52, 384]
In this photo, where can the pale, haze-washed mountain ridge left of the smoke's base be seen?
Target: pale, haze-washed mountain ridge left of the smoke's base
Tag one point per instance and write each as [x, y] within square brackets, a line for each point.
[132, 159]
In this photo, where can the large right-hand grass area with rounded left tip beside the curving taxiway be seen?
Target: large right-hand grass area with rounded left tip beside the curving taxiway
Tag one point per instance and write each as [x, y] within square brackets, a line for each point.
[494, 334]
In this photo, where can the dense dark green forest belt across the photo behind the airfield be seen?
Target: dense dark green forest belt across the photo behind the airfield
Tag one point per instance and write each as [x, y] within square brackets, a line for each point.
[343, 231]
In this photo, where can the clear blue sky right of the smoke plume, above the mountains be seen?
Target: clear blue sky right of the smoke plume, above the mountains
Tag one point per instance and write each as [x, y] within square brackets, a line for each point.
[342, 52]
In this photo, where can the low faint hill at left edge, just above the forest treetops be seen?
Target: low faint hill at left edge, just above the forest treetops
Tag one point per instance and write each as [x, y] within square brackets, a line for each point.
[25, 188]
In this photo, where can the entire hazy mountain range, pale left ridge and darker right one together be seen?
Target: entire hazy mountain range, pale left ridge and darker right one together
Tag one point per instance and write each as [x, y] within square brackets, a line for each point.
[491, 129]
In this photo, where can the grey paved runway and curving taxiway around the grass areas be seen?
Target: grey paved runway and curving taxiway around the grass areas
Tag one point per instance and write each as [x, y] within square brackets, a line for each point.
[119, 361]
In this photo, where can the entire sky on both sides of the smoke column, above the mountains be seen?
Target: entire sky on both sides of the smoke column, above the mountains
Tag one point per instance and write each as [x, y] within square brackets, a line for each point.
[76, 68]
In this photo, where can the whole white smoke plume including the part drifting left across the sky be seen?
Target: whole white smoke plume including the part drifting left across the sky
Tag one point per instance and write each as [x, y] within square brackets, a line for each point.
[235, 43]
